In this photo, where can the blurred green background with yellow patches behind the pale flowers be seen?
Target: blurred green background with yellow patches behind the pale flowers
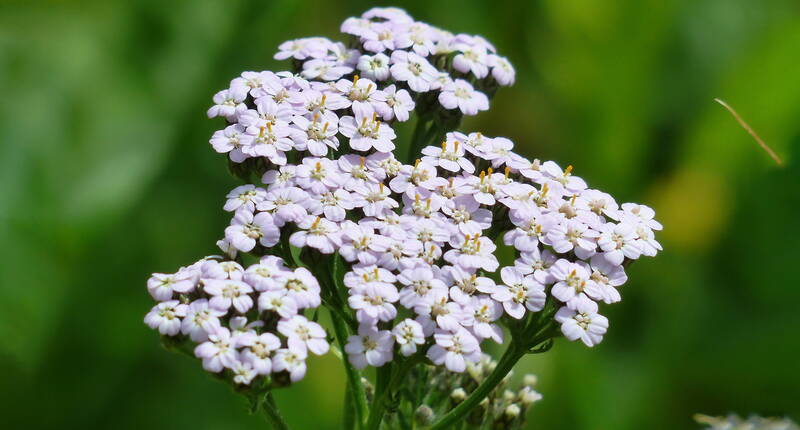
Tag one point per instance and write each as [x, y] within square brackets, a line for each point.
[106, 175]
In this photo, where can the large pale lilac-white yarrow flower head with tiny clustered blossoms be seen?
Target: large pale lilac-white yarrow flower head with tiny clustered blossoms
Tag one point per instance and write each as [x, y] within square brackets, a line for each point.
[418, 240]
